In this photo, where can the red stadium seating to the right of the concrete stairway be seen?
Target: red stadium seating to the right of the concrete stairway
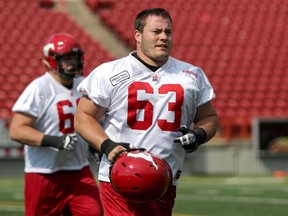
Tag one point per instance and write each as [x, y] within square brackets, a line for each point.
[241, 45]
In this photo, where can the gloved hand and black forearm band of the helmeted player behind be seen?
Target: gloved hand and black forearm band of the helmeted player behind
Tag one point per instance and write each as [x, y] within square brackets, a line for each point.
[67, 142]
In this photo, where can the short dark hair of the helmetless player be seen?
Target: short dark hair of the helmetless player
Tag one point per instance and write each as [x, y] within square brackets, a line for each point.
[140, 20]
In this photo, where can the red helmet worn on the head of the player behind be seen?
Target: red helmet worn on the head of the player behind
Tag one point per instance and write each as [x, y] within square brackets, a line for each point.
[63, 45]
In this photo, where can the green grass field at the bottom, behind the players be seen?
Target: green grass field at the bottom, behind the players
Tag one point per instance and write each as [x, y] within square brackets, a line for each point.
[196, 196]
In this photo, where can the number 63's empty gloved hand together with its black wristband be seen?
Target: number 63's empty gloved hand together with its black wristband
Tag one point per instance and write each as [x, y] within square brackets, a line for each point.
[191, 139]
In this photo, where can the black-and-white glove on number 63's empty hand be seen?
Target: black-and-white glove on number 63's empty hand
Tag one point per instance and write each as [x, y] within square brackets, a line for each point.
[188, 140]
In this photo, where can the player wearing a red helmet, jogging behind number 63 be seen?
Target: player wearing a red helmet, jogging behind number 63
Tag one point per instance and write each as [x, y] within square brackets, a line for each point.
[58, 180]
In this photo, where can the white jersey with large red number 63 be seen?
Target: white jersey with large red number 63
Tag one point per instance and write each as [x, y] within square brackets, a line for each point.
[145, 108]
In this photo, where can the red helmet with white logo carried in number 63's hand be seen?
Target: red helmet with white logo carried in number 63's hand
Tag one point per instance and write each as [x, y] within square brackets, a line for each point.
[140, 176]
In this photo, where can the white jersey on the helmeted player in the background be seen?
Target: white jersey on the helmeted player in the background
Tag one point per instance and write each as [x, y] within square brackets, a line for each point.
[53, 106]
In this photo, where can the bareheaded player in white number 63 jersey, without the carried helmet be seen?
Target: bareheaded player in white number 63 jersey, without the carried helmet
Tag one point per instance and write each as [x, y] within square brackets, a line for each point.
[148, 100]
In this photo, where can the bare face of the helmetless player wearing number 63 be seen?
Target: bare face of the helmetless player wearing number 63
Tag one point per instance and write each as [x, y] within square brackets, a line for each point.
[155, 43]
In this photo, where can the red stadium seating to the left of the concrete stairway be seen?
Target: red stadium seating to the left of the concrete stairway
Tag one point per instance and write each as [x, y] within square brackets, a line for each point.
[25, 27]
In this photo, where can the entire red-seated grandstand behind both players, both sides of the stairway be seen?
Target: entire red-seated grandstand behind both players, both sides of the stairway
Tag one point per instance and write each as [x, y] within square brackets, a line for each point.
[241, 45]
